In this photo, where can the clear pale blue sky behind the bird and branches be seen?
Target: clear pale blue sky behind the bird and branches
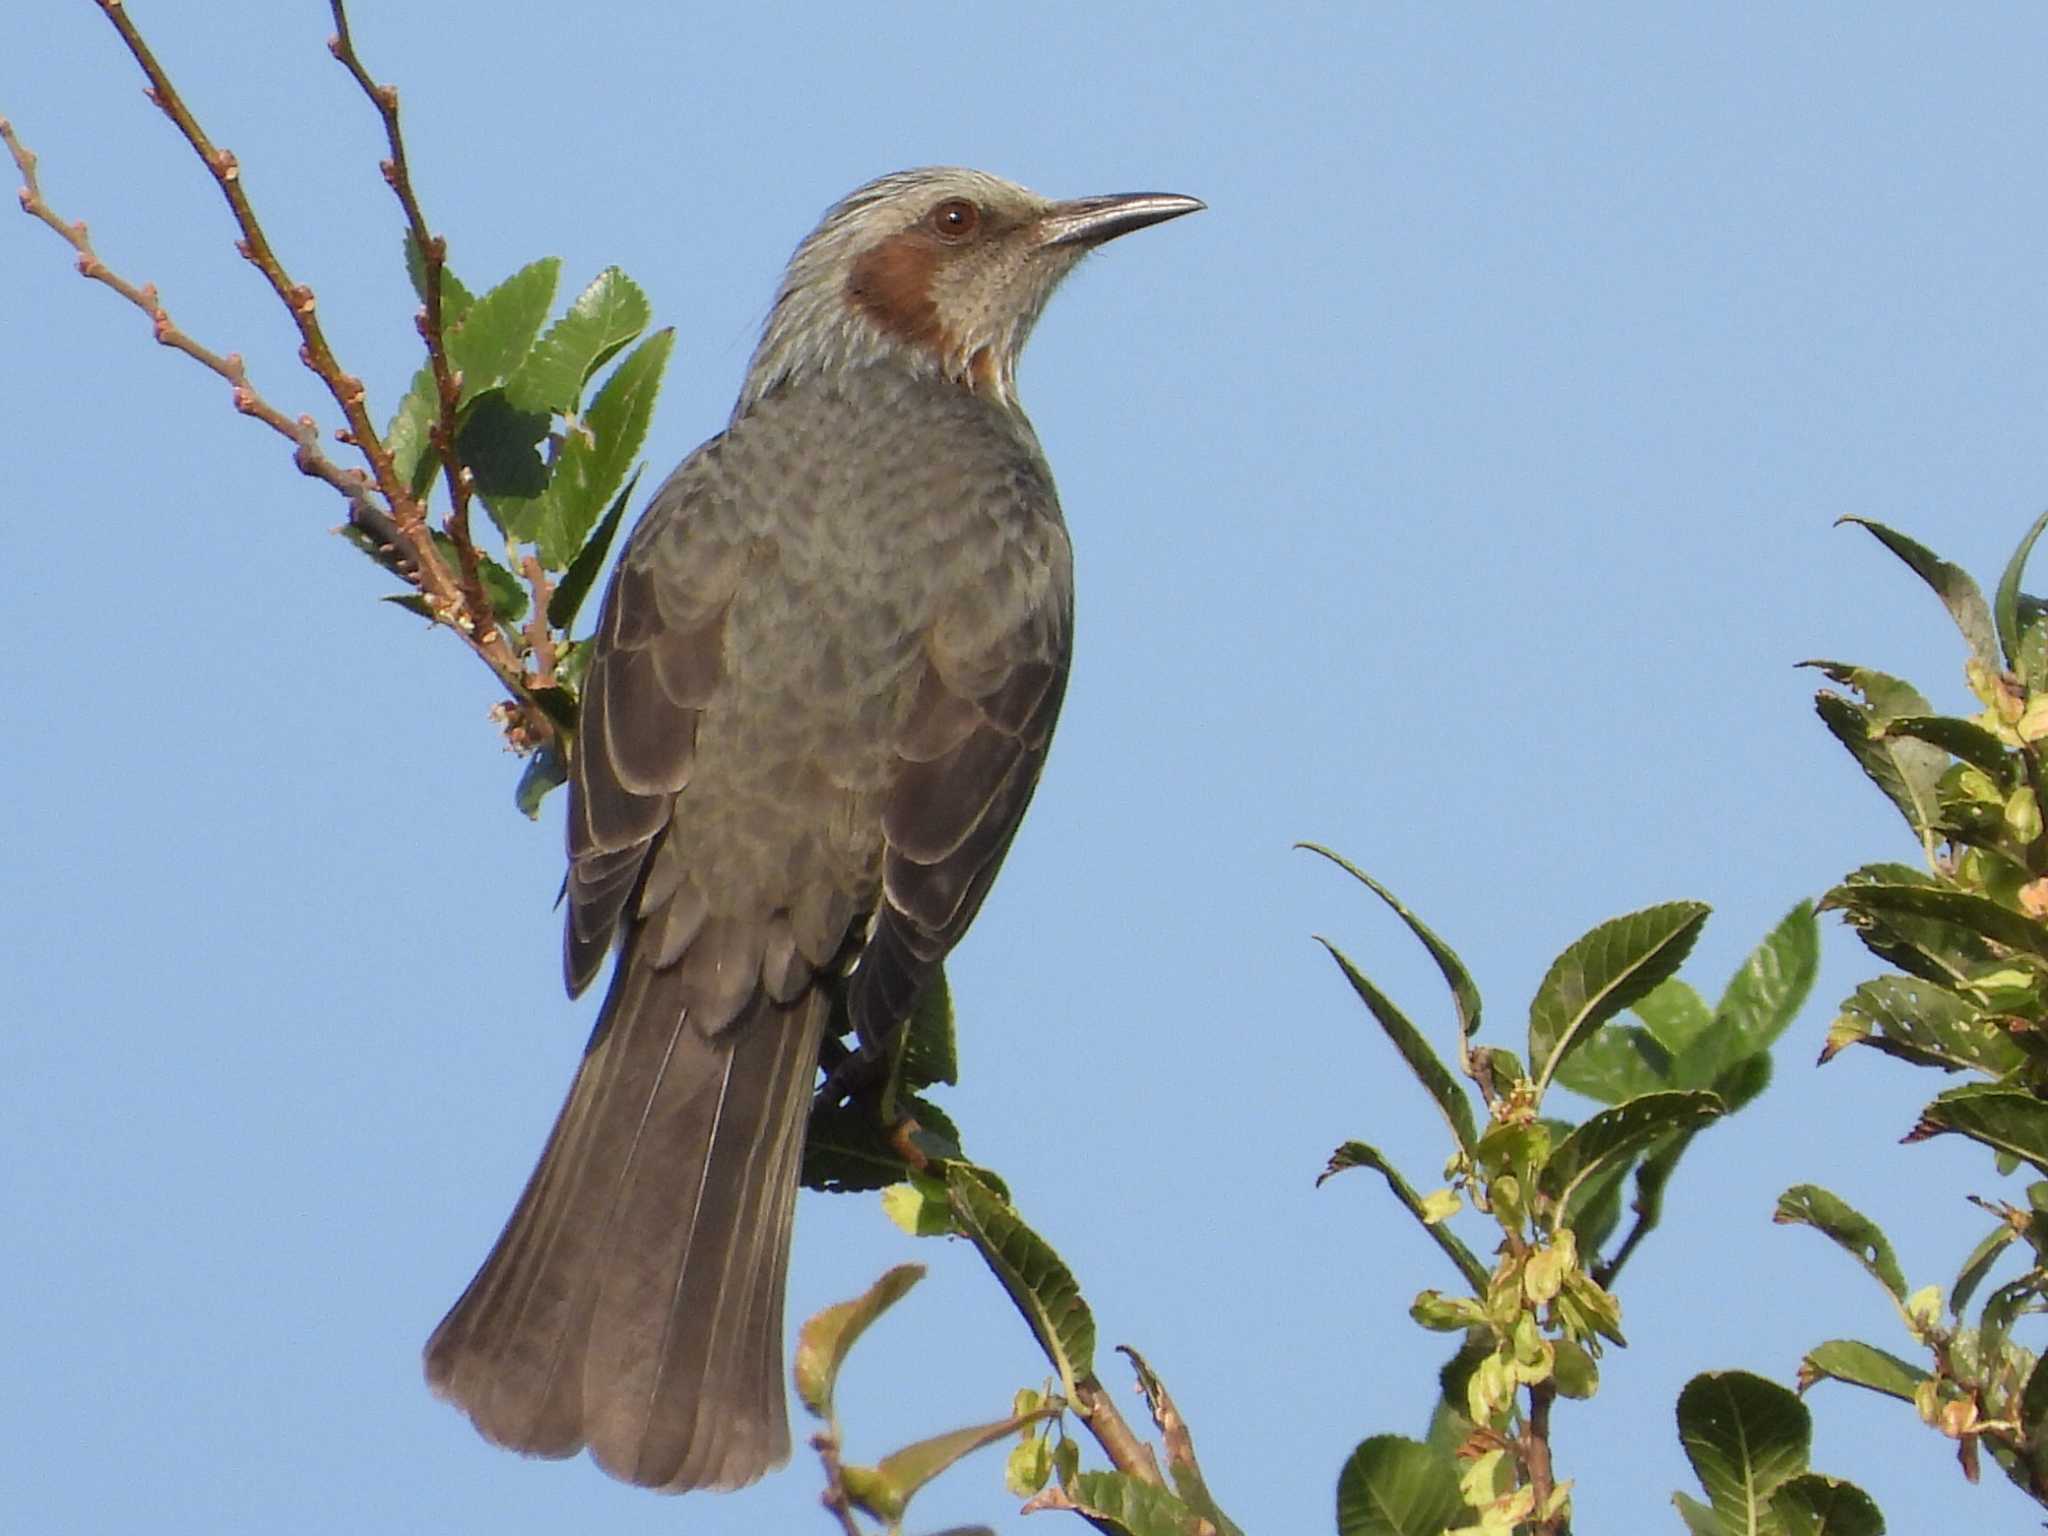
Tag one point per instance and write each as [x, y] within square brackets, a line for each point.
[1457, 493]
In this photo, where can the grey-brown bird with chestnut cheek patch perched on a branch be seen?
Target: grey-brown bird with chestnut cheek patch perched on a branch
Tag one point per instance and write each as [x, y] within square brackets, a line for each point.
[818, 701]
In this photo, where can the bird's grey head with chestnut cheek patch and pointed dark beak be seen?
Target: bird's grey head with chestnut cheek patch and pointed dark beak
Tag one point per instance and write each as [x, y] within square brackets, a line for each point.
[943, 271]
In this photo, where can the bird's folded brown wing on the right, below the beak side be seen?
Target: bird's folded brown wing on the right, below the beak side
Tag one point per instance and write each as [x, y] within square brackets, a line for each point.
[968, 763]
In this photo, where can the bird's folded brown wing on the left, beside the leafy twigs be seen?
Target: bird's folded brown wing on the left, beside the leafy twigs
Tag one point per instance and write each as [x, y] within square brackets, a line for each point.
[656, 663]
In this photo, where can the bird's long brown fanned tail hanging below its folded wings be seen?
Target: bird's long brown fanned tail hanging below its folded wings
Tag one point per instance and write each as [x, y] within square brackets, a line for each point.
[634, 1302]
